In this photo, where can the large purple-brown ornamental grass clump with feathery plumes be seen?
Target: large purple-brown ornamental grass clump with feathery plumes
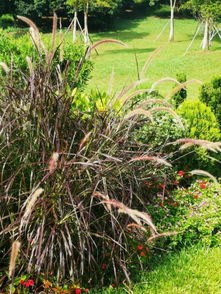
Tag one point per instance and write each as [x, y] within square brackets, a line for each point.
[72, 185]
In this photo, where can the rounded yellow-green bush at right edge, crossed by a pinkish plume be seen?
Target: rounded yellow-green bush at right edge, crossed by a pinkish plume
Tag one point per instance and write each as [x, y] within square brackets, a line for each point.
[201, 123]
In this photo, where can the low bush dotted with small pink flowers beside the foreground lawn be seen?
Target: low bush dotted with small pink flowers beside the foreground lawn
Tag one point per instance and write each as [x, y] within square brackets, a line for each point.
[193, 212]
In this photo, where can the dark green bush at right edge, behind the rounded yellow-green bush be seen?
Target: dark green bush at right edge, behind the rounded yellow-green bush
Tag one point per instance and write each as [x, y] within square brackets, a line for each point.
[211, 96]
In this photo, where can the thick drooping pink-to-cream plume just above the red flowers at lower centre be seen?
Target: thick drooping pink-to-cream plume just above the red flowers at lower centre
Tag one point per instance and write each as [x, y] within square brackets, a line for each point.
[136, 215]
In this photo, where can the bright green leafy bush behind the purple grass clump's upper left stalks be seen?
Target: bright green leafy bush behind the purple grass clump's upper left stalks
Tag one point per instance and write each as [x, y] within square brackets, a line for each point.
[13, 51]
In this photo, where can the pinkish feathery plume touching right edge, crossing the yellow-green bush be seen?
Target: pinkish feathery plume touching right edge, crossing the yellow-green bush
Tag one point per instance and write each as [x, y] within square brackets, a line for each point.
[188, 142]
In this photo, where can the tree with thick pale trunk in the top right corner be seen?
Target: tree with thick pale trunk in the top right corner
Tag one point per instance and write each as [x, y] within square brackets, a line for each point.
[209, 12]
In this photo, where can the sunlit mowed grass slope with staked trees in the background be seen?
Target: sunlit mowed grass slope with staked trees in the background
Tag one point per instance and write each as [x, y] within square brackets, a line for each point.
[140, 35]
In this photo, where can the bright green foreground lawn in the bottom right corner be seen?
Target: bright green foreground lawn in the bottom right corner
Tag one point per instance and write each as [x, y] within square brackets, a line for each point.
[193, 271]
